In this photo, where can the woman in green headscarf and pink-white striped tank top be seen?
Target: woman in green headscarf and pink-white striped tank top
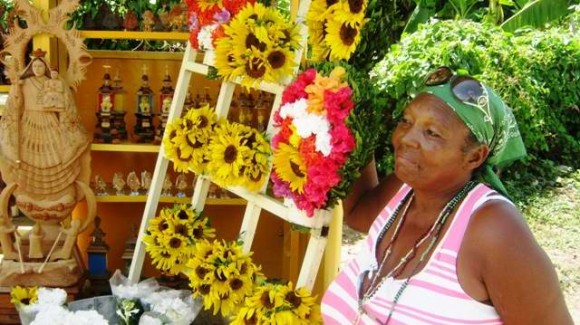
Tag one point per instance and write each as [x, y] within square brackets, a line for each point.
[445, 245]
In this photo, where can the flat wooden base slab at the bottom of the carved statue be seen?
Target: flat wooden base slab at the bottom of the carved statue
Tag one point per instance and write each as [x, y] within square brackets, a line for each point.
[62, 273]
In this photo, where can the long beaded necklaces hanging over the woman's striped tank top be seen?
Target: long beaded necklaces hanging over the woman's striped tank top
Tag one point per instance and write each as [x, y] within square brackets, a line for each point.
[433, 232]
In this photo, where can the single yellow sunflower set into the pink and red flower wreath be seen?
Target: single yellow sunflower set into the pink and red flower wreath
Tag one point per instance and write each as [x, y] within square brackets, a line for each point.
[290, 167]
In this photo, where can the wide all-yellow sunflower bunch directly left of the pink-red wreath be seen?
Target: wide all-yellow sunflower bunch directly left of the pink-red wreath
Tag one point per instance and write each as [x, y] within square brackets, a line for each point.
[232, 154]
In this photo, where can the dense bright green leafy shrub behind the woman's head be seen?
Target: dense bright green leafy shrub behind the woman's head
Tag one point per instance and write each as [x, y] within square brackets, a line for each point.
[536, 73]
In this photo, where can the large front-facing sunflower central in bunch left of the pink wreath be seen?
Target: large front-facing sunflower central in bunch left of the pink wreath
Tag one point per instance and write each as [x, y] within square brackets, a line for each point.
[228, 155]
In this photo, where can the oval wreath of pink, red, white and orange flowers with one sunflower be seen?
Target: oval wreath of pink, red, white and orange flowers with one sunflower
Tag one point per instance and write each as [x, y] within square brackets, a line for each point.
[313, 142]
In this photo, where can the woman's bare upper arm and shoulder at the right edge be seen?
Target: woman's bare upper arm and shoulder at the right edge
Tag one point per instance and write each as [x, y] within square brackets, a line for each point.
[520, 278]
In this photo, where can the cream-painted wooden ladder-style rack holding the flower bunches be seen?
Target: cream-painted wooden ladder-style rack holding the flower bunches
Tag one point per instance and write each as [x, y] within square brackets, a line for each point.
[256, 202]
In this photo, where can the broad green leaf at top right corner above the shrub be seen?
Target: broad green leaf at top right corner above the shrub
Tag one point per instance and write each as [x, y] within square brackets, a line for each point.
[536, 13]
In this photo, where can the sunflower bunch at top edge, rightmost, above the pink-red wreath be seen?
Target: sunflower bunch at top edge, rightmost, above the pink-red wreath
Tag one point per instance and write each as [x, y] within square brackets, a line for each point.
[334, 28]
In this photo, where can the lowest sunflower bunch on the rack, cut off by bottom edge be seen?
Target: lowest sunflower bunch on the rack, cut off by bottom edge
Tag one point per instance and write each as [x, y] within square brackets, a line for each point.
[279, 304]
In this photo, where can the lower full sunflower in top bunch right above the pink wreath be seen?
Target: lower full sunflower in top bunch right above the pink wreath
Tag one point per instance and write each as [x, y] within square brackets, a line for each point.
[342, 39]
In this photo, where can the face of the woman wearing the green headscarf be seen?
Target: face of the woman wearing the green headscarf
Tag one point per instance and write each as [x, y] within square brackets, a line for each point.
[429, 143]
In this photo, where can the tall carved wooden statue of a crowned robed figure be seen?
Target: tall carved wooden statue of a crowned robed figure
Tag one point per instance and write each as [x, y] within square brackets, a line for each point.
[44, 155]
